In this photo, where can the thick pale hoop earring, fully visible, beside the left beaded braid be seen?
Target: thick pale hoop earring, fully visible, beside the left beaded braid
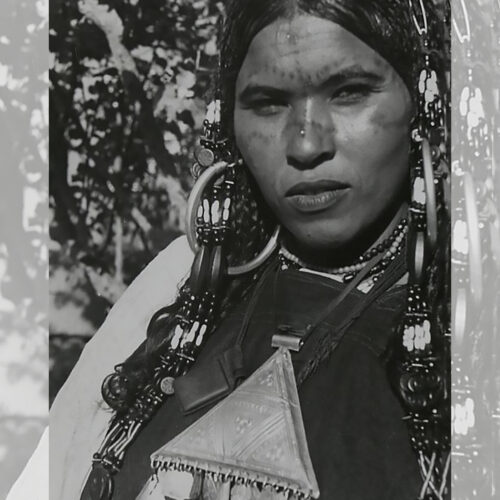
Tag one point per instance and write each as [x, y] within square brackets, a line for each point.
[208, 176]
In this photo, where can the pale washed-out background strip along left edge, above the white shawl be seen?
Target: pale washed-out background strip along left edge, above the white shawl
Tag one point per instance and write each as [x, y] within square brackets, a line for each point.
[23, 232]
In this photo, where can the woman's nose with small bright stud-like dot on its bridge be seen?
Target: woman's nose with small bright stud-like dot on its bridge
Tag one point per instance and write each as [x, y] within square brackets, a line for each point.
[310, 139]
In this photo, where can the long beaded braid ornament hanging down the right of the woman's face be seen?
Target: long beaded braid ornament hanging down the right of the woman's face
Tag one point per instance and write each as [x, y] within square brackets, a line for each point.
[424, 350]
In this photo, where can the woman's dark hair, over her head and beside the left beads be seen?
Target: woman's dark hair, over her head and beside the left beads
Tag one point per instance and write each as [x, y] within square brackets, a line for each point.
[386, 26]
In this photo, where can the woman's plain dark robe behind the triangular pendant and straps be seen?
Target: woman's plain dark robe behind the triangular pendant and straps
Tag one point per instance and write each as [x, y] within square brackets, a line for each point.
[354, 424]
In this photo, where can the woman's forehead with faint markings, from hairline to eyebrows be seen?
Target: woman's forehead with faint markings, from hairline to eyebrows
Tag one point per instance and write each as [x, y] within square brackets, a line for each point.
[307, 50]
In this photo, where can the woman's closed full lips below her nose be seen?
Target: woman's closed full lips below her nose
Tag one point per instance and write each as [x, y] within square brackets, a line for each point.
[316, 197]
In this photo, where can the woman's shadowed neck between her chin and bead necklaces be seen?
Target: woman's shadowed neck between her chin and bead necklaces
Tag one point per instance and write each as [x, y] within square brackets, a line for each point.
[349, 252]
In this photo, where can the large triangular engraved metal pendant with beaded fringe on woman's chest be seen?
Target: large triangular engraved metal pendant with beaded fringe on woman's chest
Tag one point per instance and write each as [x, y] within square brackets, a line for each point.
[253, 437]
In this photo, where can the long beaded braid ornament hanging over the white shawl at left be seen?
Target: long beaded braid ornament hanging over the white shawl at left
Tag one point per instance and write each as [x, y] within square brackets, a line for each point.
[185, 334]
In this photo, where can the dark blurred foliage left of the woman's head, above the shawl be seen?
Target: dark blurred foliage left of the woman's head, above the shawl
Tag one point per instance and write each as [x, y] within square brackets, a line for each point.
[129, 83]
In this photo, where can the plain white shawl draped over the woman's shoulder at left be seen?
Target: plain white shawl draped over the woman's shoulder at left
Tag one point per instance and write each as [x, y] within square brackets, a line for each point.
[78, 417]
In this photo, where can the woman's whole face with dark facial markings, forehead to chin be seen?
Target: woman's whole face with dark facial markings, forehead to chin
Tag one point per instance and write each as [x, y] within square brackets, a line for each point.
[322, 121]
